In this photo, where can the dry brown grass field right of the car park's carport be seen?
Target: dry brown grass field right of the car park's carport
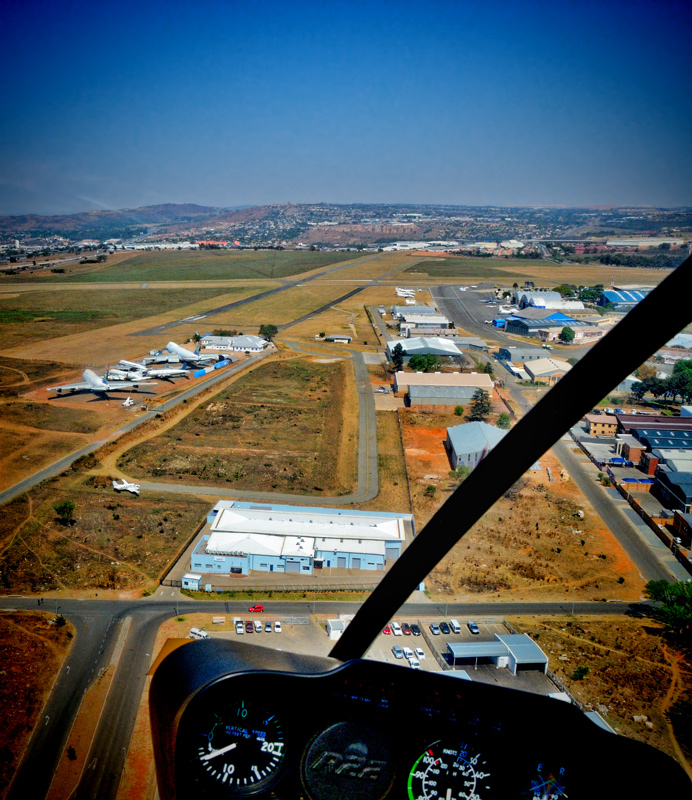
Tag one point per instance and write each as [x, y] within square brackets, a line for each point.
[633, 668]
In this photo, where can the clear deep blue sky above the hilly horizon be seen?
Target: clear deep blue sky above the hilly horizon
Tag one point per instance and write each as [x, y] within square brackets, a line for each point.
[120, 103]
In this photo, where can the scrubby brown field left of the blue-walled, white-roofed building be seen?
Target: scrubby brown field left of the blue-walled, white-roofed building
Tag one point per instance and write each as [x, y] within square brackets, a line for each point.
[114, 542]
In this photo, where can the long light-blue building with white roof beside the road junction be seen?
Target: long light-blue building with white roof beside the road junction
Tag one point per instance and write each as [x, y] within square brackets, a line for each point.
[247, 536]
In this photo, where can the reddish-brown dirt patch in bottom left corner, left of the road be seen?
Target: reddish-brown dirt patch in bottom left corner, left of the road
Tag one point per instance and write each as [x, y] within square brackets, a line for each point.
[32, 651]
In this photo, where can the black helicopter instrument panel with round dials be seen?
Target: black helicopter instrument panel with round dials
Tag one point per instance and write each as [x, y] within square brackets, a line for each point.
[231, 720]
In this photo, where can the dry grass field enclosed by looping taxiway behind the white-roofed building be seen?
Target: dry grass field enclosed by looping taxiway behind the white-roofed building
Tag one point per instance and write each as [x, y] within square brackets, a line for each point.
[284, 427]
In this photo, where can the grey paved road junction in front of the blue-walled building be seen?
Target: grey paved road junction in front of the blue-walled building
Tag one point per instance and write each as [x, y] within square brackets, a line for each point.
[98, 623]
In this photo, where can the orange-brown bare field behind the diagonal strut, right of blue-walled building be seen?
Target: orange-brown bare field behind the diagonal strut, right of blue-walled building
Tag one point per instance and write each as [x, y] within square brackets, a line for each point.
[531, 545]
